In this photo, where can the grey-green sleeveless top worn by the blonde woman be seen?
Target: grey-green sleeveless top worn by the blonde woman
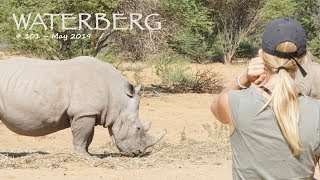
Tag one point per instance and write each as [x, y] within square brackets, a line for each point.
[259, 151]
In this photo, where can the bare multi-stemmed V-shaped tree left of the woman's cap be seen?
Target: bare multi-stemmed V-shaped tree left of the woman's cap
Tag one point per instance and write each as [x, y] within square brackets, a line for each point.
[235, 19]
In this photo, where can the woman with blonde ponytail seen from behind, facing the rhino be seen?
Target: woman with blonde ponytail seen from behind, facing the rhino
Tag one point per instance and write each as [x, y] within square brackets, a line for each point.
[275, 128]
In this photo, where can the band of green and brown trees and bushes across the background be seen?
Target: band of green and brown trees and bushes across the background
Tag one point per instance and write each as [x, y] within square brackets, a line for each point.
[196, 30]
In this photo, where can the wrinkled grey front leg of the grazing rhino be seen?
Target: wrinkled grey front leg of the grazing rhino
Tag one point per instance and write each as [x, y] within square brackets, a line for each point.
[82, 131]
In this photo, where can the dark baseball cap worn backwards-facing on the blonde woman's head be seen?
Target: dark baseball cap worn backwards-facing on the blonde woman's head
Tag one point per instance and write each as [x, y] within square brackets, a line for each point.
[281, 30]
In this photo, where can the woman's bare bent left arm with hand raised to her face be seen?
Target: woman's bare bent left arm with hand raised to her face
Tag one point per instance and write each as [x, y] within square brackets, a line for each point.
[255, 72]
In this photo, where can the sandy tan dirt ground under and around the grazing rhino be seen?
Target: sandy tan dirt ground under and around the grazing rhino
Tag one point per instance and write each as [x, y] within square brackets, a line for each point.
[195, 147]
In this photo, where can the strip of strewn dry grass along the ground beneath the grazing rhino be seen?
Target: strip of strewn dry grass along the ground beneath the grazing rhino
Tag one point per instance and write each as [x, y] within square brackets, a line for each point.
[164, 154]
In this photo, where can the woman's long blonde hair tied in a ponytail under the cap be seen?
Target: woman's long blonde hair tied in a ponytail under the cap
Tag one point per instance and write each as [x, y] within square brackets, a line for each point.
[284, 99]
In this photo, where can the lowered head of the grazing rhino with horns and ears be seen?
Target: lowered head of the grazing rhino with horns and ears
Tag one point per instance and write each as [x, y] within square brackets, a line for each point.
[129, 134]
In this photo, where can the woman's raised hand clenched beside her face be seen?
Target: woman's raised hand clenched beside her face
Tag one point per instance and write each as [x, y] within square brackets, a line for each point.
[255, 72]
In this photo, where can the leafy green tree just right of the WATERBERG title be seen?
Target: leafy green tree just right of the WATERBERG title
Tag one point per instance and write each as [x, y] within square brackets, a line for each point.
[192, 28]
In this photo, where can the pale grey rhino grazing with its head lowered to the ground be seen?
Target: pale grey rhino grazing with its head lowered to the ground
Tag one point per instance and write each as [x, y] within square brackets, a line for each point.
[40, 97]
